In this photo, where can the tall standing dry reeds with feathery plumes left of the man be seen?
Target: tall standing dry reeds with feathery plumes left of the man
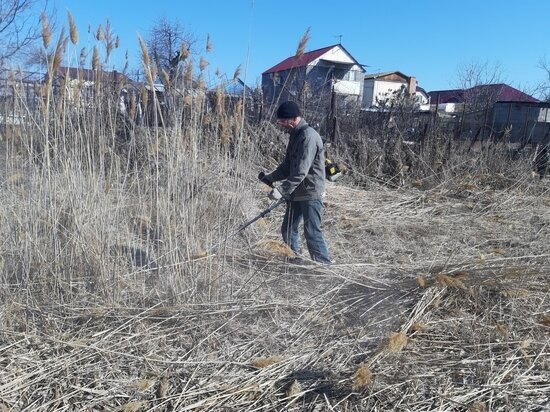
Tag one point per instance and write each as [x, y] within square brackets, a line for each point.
[99, 207]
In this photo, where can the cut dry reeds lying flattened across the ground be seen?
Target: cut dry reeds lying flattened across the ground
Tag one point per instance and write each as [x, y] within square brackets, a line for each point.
[438, 301]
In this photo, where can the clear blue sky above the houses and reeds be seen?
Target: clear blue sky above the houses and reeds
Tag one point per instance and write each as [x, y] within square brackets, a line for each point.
[429, 39]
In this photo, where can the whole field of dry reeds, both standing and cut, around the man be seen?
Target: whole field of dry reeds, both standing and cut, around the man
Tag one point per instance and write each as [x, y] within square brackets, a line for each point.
[123, 286]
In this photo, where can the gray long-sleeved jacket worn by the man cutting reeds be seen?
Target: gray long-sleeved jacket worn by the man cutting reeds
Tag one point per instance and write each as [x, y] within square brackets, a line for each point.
[303, 168]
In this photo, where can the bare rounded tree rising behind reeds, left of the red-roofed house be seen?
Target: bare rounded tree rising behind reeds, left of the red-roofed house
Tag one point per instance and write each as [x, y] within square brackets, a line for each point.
[169, 45]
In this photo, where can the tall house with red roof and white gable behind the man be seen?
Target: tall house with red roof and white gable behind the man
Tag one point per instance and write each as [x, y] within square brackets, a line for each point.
[314, 77]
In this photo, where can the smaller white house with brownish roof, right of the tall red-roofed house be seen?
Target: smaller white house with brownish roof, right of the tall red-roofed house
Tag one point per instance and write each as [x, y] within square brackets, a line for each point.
[380, 89]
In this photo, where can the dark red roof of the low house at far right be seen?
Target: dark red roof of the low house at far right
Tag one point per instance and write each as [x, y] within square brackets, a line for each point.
[477, 97]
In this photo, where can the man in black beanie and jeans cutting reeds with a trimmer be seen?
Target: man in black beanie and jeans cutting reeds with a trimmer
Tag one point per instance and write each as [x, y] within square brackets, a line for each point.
[302, 173]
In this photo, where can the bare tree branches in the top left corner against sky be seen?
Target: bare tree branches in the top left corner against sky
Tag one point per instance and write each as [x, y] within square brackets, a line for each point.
[19, 25]
